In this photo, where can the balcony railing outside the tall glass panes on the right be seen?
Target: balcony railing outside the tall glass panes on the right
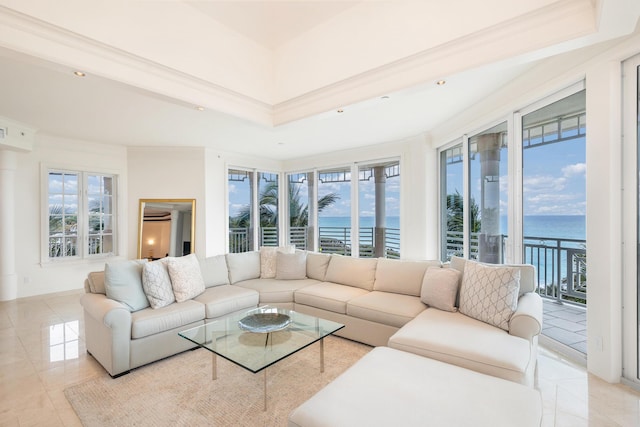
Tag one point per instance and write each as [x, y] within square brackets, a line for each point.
[561, 264]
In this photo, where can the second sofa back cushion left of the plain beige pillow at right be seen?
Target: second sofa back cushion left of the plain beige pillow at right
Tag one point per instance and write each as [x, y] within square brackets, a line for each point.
[357, 272]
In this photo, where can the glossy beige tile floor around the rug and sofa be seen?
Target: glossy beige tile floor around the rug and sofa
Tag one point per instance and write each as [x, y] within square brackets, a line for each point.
[42, 352]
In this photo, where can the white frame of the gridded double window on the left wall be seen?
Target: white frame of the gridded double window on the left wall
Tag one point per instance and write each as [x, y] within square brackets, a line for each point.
[82, 252]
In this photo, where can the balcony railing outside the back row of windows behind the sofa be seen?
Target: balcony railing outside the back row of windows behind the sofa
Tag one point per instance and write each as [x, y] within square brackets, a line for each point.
[333, 240]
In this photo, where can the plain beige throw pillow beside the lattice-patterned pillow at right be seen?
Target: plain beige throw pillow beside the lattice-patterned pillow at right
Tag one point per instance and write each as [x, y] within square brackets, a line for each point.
[440, 288]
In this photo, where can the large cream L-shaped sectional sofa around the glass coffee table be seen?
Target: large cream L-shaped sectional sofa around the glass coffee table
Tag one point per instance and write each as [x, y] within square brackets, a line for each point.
[380, 301]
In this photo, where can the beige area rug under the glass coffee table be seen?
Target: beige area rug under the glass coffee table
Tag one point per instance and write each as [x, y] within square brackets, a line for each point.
[179, 391]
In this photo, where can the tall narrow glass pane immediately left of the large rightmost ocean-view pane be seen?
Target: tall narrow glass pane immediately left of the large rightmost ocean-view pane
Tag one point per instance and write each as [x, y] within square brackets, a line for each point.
[488, 194]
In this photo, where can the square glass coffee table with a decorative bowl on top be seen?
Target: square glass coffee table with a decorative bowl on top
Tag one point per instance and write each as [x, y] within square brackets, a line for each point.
[261, 337]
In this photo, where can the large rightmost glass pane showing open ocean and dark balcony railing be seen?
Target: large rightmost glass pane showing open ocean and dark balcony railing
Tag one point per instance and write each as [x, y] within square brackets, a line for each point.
[554, 200]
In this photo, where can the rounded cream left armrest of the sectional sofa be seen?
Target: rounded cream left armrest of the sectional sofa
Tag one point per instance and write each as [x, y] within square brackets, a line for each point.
[107, 332]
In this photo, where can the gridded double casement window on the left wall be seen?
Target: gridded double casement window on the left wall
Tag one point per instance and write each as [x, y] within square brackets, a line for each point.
[80, 212]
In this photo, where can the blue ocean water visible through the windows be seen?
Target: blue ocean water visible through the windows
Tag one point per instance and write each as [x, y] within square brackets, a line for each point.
[548, 226]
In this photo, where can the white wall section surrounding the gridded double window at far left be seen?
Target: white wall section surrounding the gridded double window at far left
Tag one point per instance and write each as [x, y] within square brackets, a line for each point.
[35, 277]
